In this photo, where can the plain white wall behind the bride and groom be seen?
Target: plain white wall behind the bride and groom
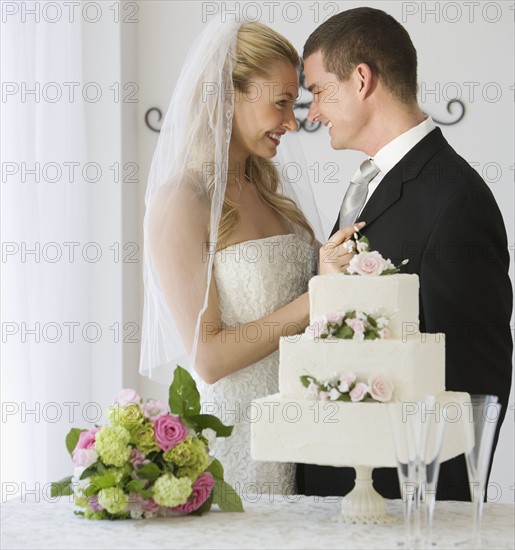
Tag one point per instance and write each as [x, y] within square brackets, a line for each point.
[465, 50]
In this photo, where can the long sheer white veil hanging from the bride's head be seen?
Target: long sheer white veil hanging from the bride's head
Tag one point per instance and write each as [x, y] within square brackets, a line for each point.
[184, 201]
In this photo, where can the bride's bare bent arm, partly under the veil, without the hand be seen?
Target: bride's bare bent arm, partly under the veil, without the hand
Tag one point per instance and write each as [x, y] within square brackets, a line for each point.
[178, 237]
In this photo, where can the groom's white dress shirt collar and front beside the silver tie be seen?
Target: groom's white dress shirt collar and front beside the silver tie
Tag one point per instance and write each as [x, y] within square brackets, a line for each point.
[388, 156]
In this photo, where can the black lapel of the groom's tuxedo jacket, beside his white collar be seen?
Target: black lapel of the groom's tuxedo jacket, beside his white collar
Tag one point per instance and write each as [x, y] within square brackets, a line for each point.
[409, 167]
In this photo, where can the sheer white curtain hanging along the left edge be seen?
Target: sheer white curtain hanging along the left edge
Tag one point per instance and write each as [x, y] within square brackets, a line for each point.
[45, 373]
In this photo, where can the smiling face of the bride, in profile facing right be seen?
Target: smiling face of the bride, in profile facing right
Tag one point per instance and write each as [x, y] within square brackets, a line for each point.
[264, 113]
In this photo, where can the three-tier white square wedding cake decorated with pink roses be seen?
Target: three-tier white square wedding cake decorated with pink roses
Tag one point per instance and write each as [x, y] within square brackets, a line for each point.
[361, 350]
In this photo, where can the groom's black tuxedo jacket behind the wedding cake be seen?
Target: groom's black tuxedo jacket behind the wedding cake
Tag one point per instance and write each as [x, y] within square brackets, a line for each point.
[435, 210]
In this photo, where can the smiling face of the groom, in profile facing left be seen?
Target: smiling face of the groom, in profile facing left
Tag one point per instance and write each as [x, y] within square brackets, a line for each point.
[335, 103]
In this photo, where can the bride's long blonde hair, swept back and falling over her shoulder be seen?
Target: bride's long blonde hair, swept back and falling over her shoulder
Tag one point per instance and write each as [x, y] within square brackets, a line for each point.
[258, 46]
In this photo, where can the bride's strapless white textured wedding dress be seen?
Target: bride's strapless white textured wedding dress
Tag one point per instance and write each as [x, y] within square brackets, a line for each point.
[254, 279]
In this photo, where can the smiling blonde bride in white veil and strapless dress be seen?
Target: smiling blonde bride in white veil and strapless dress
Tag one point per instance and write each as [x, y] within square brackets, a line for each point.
[229, 250]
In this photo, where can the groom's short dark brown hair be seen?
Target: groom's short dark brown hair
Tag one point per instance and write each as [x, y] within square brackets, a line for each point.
[371, 36]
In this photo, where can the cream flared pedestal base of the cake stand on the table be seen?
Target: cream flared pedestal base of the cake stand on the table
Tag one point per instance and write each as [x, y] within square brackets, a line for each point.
[364, 504]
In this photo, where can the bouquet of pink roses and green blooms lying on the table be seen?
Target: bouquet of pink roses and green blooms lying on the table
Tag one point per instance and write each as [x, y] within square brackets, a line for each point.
[150, 459]
